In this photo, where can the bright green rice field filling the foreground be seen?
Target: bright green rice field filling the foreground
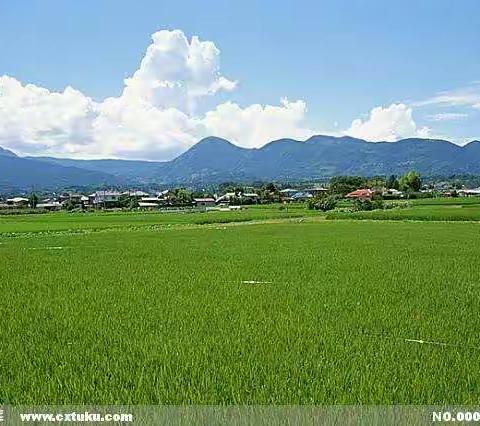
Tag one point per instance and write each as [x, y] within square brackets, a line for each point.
[164, 318]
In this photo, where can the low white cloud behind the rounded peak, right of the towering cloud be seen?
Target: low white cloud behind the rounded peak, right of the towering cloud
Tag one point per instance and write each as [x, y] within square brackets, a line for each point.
[255, 125]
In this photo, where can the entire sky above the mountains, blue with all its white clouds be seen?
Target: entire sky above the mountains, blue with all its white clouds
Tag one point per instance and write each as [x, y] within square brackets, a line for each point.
[148, 79]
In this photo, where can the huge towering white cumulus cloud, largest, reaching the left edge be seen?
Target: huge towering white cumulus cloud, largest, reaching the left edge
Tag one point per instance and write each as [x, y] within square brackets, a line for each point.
[154, 117]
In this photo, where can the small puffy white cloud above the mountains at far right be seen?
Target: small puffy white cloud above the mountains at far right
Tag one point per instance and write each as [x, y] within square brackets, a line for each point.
[387, 124]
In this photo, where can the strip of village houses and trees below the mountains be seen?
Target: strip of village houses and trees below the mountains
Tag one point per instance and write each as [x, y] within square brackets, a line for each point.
[235, 197]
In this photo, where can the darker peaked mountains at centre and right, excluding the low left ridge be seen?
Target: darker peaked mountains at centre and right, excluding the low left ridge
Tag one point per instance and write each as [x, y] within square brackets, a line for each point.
[217, 160]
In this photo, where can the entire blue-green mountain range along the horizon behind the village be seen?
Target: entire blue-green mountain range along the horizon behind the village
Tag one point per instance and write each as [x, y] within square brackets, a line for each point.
[215, 160]
